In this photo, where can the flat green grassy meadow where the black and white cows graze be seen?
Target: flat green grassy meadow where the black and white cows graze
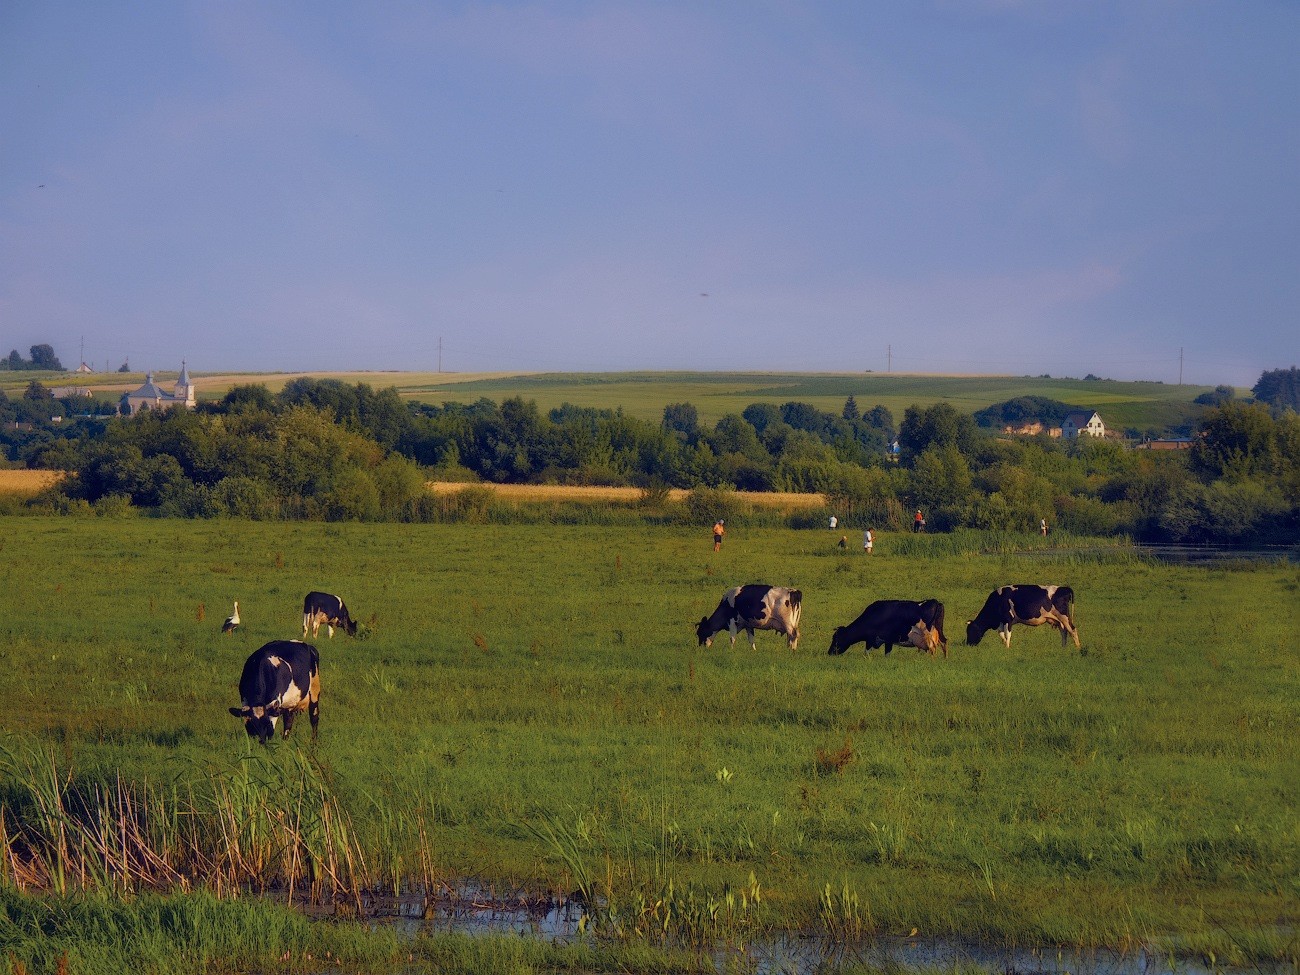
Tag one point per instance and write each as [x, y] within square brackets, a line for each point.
[527, 708]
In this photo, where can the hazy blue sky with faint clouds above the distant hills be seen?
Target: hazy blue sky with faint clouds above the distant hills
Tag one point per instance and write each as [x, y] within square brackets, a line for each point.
[964, 187]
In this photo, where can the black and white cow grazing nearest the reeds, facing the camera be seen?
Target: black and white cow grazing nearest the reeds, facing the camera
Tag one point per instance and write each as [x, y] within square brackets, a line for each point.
[280, 681]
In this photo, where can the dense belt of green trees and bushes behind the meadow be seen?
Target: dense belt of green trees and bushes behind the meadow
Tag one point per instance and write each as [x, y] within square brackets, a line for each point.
[322, 449]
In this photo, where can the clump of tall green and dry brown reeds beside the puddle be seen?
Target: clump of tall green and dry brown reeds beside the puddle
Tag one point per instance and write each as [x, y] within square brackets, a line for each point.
[255, 827]
